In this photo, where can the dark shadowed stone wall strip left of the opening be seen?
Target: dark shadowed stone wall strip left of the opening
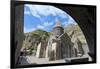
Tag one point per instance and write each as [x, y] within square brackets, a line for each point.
[18, 31]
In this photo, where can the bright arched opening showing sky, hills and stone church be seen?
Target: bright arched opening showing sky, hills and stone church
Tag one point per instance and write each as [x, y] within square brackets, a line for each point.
[40, 47]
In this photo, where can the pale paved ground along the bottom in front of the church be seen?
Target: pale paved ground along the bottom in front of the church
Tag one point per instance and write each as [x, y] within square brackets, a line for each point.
[25, 60]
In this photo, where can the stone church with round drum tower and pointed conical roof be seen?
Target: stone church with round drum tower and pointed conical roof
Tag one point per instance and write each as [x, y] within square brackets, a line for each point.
[59, 45]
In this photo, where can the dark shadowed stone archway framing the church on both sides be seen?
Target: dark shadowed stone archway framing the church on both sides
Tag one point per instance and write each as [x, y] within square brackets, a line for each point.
[84, 16]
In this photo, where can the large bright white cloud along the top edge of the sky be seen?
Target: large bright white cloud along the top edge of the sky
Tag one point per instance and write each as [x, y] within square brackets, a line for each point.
[45, 10]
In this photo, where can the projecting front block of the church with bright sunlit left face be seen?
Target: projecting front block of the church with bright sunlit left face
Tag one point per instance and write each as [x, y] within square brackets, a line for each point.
[55, 53]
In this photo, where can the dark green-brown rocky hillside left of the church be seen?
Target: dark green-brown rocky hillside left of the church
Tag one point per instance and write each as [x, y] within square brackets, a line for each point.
[32, 39]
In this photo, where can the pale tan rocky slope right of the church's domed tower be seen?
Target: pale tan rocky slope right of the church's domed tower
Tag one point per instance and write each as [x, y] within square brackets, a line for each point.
[74, 32]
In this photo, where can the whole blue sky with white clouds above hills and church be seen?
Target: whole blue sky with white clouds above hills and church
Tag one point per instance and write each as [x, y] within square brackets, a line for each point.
[44, 17]
